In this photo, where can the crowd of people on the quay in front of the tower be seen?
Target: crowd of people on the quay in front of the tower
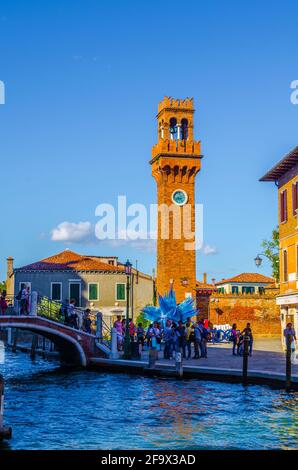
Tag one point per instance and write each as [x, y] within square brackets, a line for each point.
[176, 337]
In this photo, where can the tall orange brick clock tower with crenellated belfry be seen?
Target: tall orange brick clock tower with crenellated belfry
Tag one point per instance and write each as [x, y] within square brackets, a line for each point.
[176, 160]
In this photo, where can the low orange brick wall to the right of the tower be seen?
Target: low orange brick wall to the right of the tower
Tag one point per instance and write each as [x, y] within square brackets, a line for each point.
[260, 310]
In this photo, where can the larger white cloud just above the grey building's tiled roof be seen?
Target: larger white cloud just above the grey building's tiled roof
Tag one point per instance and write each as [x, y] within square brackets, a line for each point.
[72, 232]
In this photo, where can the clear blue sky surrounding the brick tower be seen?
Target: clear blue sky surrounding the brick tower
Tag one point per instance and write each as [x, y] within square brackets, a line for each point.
[83, 80]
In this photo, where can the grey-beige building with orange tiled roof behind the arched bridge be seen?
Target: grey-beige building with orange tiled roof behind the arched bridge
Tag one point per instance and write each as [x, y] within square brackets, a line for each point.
[93, 282]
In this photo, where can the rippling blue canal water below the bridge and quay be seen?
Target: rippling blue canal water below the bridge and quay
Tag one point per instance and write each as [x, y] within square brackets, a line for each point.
[50, 408]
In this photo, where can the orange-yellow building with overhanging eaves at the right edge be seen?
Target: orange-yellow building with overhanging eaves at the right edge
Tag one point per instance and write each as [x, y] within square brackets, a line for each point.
[285, 176]
